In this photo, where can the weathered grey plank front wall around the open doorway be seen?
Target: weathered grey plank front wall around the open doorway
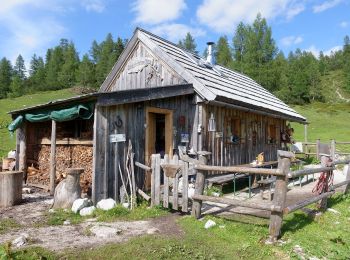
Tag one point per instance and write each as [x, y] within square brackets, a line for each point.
[109, 156]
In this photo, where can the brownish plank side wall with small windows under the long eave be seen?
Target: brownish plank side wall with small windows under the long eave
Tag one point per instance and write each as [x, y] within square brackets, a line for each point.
[227, 153]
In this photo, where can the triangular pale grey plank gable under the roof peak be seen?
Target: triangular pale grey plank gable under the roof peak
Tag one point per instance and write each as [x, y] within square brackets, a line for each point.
[143, 70]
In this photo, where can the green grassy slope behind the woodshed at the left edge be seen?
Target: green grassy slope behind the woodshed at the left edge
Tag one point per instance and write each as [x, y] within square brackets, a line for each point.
[7, 142]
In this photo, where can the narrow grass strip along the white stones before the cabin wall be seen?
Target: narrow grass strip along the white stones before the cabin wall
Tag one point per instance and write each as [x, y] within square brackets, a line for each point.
[118, 213]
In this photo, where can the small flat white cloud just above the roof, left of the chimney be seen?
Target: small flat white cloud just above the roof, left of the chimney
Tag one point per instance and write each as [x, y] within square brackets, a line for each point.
[174, 31]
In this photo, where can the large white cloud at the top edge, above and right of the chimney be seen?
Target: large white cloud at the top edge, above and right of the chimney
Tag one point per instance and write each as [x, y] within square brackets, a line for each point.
[223, 15]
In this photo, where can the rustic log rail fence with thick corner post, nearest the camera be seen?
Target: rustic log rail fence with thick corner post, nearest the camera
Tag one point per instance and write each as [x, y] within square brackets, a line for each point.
[277, 207]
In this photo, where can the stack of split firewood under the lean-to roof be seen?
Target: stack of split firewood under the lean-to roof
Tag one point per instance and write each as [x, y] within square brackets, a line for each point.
[66, 157]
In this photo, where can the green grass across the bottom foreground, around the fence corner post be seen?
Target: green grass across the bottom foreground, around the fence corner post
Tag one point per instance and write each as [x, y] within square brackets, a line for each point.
[325, 238]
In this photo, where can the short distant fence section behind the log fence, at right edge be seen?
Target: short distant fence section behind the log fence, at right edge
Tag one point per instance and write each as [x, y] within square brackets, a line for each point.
[333, 147]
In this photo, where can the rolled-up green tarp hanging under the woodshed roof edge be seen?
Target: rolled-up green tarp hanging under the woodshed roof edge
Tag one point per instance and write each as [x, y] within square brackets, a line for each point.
[78, 111]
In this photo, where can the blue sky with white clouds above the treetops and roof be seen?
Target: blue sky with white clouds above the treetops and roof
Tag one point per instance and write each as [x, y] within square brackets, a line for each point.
[32, 26]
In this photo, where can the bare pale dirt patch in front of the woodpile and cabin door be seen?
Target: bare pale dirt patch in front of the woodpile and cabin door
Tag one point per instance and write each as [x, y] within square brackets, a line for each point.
[32, 212]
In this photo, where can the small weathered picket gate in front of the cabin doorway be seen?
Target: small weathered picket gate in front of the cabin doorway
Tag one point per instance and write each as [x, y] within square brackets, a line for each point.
[166, 187]
